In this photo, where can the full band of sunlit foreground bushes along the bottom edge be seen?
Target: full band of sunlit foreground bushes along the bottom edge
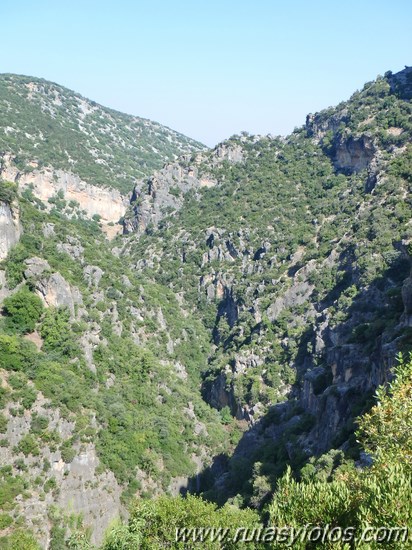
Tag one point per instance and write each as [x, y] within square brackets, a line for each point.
[329, 494]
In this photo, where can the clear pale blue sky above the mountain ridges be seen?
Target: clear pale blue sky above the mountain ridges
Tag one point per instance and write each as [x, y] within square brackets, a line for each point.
[208, 69]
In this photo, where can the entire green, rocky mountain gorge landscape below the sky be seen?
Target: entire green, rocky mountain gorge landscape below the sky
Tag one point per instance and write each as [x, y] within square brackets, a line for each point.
[229, 343]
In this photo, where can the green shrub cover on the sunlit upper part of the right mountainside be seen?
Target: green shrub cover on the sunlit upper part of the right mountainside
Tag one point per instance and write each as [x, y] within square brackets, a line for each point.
[286, 215]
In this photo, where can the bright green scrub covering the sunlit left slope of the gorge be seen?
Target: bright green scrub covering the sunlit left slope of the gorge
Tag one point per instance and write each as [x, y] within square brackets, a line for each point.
[127, 399]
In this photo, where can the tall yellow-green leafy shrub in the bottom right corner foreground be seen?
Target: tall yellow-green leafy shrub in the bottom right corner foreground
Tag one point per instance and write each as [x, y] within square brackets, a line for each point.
[378, 496]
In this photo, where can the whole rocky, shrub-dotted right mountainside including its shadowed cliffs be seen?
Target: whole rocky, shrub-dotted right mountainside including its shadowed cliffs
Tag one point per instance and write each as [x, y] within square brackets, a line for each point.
[297, 259]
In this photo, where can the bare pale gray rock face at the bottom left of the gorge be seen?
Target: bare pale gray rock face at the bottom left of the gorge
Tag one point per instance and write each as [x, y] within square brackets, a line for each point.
[81, 488]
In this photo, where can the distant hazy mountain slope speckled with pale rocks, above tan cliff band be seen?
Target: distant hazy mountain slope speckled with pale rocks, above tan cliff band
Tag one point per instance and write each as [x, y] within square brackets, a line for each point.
[46, 123]
